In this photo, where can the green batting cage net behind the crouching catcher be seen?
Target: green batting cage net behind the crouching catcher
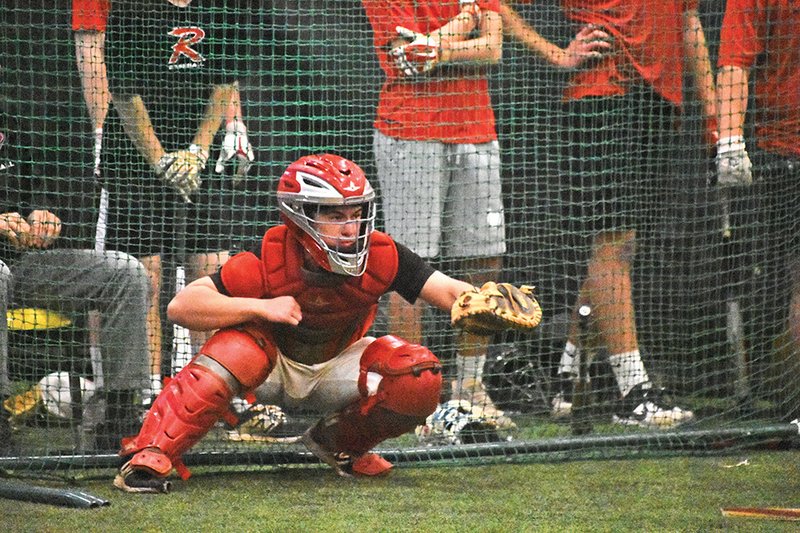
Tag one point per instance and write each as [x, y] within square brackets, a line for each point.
[574, 152]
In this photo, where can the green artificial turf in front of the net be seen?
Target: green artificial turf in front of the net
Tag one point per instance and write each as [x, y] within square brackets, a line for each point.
[662, 494]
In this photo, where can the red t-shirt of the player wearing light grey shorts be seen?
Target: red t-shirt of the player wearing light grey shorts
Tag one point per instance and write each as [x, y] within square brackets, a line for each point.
[451, 104]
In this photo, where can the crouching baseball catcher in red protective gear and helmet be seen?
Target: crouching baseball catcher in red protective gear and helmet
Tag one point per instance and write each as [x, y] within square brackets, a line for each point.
[291, 317]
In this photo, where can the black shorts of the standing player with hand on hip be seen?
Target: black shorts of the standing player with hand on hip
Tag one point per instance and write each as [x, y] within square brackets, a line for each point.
[617, 153]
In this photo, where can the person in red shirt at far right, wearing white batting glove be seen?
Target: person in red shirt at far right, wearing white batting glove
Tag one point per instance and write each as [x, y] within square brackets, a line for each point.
[760, 45]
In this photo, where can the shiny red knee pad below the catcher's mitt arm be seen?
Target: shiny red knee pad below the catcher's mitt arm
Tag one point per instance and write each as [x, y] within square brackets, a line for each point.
[408, 377]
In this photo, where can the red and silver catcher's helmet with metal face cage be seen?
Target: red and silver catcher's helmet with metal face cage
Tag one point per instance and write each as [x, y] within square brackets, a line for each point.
[326, 180]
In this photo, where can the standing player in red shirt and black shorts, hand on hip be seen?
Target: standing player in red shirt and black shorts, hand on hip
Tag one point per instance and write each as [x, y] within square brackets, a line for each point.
[623, 102]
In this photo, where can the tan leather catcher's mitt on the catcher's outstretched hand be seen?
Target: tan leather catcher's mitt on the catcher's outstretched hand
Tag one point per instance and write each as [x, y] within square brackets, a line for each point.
[496, 307]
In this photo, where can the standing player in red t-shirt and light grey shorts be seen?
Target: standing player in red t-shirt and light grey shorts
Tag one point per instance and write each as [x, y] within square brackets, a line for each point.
[437, 155]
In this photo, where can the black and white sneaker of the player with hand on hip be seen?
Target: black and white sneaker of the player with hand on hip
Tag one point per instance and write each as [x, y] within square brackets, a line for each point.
[646, 408]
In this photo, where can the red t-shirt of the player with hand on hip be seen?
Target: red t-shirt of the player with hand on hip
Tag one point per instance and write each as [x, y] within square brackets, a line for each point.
[648, 45]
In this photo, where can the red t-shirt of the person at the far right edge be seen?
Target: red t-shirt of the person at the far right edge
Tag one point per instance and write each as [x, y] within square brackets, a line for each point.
[766, 31]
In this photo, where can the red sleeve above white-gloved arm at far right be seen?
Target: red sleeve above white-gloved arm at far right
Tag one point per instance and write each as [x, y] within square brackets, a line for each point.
[742, 35]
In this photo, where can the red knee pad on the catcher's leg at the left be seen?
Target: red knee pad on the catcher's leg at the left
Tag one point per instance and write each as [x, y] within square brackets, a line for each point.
[246, 352]
